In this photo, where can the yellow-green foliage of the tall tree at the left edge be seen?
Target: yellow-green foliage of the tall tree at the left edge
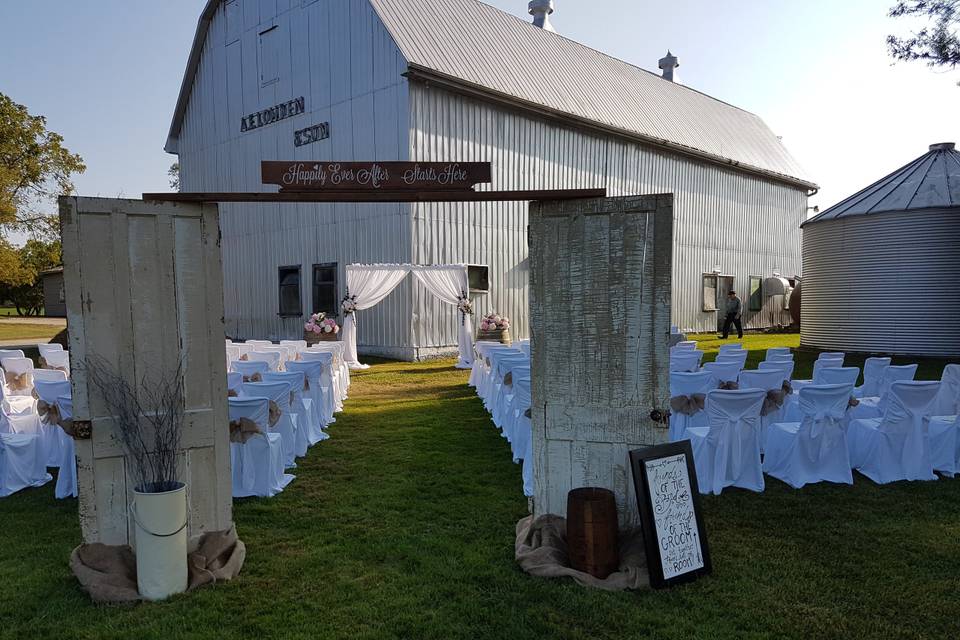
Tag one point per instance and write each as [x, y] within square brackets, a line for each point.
[34, 168]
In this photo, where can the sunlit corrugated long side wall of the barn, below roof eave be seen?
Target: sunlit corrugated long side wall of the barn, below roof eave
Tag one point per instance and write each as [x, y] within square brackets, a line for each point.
[747, 225]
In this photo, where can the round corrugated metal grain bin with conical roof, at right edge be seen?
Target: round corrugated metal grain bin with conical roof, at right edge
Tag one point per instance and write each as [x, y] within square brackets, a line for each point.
[881, 269]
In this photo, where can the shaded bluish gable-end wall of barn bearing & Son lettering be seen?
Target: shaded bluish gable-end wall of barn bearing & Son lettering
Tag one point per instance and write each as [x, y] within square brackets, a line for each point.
[347, 67]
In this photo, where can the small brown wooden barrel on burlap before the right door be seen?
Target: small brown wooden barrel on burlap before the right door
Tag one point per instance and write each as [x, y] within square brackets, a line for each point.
[592, 531]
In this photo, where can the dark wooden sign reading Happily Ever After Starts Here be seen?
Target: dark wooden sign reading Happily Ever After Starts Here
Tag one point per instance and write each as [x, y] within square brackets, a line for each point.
[375, 176]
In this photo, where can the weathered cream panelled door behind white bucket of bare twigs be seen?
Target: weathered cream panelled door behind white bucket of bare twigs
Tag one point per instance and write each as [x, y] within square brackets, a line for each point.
[143, 287]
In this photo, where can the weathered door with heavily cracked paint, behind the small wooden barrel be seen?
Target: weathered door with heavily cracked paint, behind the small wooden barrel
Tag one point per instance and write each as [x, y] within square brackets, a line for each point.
[600, 323]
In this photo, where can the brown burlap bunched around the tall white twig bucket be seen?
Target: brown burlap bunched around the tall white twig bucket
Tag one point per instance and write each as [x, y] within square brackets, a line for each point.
[109, 572]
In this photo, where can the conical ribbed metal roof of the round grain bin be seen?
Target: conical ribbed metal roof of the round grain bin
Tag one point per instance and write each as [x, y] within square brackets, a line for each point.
[932, 181]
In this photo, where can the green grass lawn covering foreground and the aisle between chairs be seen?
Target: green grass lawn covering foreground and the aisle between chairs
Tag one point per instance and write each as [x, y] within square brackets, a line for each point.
[401, 526]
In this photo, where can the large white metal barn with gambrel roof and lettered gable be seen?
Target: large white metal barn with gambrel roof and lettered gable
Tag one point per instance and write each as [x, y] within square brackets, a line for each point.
[445, 80]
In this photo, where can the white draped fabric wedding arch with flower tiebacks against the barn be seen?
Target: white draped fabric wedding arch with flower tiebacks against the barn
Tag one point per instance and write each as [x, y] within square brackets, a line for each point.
[370, 284]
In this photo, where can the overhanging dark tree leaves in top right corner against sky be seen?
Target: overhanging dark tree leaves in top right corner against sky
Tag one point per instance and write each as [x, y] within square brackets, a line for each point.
[938, 44]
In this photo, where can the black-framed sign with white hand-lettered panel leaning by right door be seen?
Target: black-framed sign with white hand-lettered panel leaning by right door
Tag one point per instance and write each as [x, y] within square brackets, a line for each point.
[669, 502]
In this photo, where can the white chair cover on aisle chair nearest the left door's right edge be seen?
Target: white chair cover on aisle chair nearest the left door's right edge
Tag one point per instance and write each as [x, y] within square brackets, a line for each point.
[257, 465]
